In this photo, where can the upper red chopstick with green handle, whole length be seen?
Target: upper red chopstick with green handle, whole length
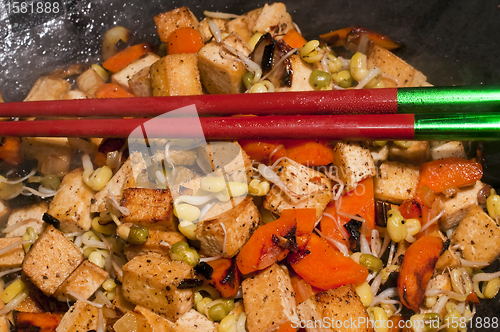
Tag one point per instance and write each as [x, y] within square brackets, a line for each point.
[363, 101]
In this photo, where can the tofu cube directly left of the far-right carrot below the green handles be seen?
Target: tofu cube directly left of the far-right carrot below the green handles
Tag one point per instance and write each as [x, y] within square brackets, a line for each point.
[395, 182]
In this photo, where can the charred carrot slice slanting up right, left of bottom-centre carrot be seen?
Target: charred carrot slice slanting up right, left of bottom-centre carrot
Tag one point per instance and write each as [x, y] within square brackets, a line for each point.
[261, 250]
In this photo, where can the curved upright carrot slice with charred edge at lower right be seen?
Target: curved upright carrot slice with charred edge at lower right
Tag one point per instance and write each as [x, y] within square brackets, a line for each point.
[416, 270]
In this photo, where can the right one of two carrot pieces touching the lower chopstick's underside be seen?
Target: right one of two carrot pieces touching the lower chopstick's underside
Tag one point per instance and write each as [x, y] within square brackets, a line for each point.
[309, 153]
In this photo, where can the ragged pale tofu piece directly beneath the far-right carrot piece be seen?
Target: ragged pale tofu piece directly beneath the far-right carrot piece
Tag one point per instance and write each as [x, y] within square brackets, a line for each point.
[456, 207]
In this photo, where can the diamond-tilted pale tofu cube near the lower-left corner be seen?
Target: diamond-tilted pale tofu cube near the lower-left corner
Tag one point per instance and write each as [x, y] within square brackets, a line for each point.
[51, 259]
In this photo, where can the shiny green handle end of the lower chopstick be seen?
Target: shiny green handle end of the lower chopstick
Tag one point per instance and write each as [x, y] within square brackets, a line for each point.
[460, 126]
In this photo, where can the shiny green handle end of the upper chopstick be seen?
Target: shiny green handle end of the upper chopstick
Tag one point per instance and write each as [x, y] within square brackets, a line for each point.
[448, 99]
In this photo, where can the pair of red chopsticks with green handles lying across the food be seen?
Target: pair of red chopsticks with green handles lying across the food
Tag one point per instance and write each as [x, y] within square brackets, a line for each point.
[430, 113]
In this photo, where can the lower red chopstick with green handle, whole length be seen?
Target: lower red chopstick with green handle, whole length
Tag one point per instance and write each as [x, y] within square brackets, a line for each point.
[483, 126]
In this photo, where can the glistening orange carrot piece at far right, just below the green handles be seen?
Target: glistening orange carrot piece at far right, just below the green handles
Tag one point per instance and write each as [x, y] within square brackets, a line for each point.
[443, 174]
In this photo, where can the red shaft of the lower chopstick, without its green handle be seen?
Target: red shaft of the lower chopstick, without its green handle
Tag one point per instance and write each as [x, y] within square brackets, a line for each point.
[332, 127]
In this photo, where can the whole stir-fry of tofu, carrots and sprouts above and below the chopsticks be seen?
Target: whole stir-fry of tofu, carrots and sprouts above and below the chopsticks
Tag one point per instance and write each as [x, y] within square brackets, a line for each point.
[241, 236]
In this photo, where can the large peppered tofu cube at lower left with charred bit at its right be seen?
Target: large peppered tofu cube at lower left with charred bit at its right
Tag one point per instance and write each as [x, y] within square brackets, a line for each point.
[151, 281]
